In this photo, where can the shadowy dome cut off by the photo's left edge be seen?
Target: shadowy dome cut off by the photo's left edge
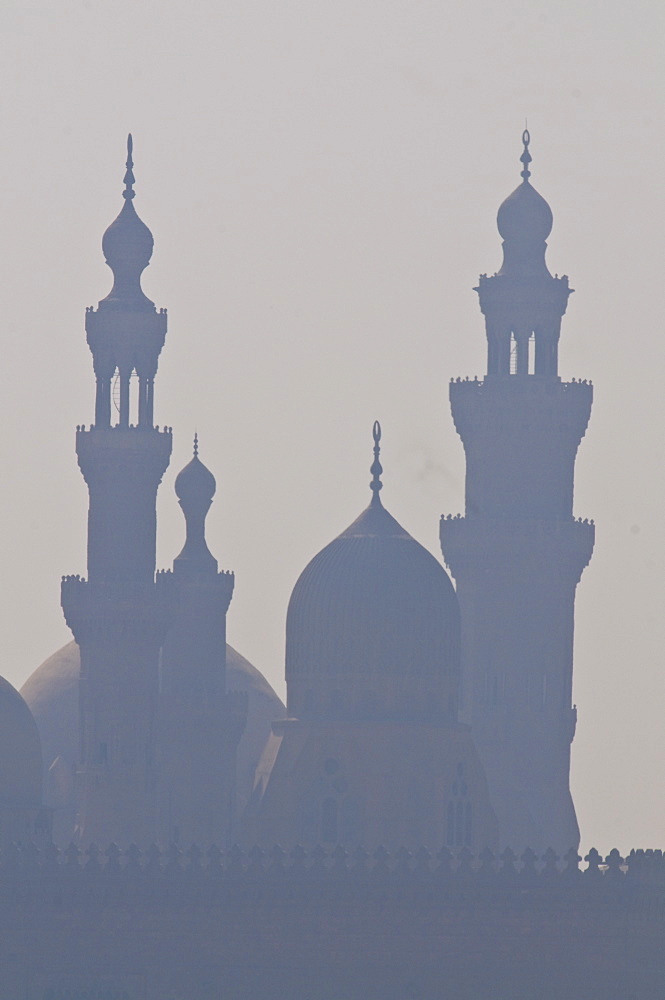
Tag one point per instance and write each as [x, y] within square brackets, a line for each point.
[20, 751]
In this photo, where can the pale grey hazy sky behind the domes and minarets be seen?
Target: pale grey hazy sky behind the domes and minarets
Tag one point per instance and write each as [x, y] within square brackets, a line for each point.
[322, 182]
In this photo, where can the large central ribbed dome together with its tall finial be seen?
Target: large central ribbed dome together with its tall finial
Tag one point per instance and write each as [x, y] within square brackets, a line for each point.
[373, 622]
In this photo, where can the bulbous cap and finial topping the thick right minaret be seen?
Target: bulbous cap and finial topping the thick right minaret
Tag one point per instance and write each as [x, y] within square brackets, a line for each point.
[524, 221]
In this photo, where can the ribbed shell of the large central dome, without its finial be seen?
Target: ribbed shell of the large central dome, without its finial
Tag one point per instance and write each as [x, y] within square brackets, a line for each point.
[373, 602]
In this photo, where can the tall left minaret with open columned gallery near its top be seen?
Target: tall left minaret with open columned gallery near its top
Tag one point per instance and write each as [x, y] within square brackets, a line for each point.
[119, 615]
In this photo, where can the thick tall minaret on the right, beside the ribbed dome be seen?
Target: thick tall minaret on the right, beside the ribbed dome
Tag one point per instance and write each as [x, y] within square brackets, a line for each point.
[518, 553]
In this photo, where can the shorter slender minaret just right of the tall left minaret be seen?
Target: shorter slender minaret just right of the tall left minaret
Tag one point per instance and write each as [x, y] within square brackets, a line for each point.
[200, 723]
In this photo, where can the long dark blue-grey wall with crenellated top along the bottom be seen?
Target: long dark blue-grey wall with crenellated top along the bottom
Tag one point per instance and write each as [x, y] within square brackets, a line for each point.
[325, 927]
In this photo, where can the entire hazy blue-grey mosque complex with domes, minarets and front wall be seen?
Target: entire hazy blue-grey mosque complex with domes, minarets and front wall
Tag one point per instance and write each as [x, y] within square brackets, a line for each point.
[403, 828]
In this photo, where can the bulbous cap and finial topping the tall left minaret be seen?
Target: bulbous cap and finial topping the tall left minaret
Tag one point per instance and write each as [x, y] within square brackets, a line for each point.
[127, 245]
